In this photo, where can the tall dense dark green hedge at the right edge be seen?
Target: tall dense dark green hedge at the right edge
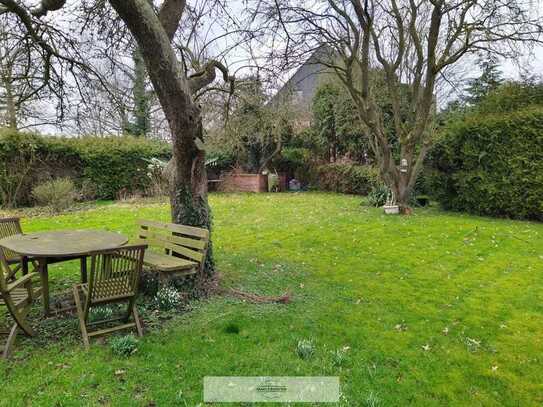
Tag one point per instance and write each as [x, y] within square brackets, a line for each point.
[491, 165]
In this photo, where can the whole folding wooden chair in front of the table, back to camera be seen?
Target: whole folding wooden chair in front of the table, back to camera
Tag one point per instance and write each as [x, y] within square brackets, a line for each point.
[114, 278]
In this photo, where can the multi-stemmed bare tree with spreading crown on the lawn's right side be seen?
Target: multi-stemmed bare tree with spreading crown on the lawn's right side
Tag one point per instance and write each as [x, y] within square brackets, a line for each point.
[414, 43]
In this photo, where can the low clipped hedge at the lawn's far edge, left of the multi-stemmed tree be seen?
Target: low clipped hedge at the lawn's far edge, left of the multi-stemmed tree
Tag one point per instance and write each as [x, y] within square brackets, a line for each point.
[347, 178]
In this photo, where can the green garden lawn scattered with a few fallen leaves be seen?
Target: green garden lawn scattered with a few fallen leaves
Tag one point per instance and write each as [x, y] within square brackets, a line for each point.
[436, 309]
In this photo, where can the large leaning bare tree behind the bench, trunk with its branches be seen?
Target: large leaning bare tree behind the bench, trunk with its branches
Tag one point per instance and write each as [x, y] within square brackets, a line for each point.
[153, 30]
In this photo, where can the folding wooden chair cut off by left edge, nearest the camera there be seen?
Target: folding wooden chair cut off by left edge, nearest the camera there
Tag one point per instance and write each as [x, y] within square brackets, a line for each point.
[17, 295]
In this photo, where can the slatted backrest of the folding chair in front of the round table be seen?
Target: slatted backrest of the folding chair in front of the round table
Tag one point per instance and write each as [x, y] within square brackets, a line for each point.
[115, 274]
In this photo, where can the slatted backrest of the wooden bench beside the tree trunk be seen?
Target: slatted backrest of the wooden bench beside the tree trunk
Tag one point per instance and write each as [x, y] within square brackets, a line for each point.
[187, 242]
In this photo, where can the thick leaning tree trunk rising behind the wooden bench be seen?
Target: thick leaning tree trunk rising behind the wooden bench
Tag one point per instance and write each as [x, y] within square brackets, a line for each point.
[188, 195]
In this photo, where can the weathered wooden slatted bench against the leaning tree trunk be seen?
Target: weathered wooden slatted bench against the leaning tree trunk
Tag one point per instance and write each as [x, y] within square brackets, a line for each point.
[173, 249]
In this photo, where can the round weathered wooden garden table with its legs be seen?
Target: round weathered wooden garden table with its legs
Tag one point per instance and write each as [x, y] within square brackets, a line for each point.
[53, 247]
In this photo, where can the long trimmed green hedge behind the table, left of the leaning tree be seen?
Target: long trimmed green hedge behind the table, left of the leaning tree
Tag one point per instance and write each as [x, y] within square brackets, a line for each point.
[108, 166]
